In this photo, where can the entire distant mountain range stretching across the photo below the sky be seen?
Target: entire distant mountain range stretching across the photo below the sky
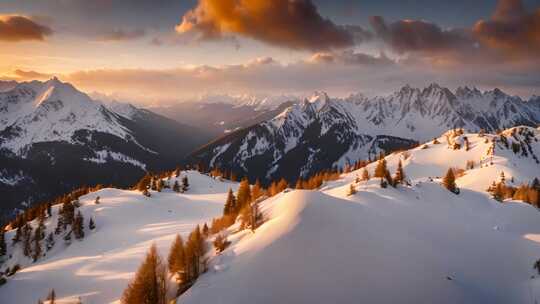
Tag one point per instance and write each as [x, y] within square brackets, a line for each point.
[54, 138]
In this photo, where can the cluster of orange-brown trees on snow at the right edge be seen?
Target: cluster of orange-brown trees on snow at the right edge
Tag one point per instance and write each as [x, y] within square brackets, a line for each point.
[528, 193]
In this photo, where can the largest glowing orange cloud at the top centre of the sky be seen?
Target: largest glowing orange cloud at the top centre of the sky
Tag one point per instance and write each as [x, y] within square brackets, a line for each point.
[294, 24]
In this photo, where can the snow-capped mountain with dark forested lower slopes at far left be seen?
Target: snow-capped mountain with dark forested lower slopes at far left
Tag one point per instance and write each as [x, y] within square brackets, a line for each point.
[54, 137]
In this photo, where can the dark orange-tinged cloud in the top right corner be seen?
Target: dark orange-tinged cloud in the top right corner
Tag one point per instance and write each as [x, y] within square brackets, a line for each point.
[512, 30]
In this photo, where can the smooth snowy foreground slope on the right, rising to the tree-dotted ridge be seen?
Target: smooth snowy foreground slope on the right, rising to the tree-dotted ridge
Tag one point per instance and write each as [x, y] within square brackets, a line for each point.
[417, 244]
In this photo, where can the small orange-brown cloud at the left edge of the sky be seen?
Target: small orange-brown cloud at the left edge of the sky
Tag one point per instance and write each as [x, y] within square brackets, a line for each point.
[14, 28]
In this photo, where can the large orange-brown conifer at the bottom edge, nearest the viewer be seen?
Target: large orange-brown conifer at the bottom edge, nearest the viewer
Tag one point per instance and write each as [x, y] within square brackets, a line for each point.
[150, 282]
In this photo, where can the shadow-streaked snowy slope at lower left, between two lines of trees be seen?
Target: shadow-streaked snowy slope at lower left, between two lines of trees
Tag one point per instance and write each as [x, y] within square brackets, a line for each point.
[98, 268]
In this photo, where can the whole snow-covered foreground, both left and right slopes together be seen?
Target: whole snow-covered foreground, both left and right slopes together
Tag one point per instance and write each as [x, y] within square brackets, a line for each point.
[416, 243]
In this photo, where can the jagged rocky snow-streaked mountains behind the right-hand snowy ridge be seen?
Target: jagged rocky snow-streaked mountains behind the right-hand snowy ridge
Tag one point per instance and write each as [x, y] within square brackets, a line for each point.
[321, 132]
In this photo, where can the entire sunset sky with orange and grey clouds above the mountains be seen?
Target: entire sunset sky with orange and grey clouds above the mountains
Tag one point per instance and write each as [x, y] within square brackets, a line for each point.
[158, 51]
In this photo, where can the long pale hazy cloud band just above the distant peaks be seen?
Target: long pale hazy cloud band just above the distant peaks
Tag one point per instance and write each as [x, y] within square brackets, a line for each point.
[338, 73]
